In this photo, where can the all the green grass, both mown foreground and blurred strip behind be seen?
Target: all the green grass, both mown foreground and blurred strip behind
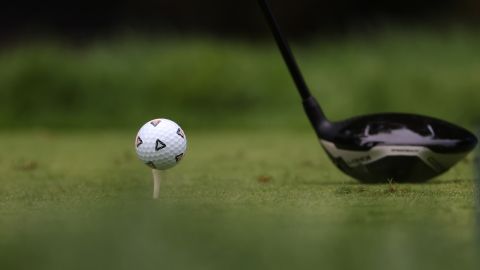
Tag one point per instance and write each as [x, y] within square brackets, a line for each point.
[255, 190]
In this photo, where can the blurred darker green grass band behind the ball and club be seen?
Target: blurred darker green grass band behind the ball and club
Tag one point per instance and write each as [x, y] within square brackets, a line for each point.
[203, 81]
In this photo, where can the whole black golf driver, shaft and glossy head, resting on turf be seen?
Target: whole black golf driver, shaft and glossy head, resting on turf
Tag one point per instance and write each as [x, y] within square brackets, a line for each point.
[380, 147]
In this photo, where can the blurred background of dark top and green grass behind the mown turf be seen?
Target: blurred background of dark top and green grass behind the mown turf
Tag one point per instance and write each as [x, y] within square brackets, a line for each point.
[91, 64]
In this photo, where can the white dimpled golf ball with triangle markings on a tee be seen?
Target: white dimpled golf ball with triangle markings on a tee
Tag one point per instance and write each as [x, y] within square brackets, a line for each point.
[161, 144]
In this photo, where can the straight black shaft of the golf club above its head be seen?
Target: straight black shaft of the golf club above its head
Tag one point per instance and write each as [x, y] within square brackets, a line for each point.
[286, 51]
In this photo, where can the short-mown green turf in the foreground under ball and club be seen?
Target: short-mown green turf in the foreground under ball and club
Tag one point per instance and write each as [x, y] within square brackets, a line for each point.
[239, 200]
